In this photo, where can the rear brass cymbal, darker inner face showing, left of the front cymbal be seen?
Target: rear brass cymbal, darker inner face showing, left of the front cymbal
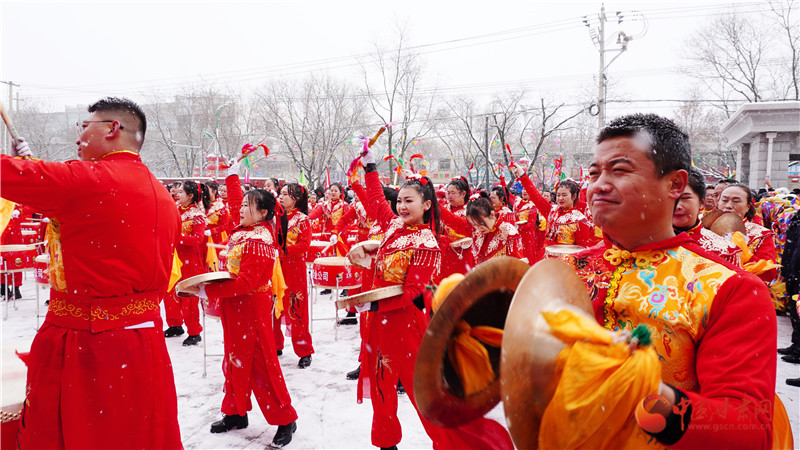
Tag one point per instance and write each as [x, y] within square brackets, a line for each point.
[481, 298]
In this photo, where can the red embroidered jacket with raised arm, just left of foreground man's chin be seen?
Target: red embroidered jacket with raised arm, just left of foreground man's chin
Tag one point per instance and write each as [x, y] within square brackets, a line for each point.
[563, 227]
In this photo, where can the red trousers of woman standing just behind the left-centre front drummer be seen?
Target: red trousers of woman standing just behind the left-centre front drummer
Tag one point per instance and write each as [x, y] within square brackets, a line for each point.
[295, 309]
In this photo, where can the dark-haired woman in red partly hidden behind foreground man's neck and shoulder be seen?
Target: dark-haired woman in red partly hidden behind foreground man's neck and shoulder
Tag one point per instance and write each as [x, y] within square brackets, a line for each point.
[686, 218]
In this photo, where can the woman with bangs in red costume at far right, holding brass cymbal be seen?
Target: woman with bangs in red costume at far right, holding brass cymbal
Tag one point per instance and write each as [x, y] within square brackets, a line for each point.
[737, 198]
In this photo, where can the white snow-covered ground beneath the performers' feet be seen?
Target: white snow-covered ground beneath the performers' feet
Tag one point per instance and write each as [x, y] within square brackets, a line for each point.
[329, 416]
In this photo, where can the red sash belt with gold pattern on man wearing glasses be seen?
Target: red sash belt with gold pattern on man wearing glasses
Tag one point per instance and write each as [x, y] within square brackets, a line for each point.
[98, 314]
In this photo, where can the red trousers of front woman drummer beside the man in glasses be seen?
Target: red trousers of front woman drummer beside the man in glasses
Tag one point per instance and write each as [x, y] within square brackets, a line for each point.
[251, 364]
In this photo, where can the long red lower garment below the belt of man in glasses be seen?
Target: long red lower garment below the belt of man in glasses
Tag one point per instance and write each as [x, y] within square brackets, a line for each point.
[113, 389]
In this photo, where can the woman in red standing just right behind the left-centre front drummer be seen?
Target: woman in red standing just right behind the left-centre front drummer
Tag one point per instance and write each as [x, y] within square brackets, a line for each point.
[295, 234]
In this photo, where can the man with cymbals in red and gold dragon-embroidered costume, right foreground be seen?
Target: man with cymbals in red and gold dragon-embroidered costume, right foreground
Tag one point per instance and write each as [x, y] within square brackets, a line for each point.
[712, 325]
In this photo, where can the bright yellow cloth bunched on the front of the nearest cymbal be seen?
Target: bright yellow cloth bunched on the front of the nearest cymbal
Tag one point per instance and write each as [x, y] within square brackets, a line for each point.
[600, 385]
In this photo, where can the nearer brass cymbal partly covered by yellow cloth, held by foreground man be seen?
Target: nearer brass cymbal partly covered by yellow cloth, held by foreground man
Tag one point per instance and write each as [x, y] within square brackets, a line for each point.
[529, 351]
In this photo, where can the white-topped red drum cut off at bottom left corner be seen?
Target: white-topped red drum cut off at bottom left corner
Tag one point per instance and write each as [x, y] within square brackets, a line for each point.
[13, 385]
